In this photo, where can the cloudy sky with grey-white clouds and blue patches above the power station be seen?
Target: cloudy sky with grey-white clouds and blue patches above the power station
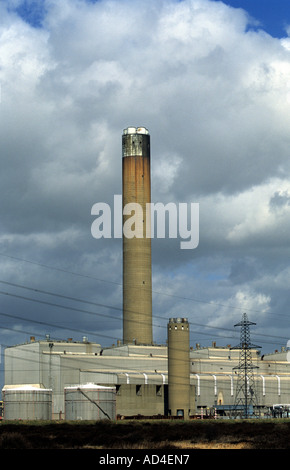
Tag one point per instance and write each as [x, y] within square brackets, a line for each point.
[211, 82]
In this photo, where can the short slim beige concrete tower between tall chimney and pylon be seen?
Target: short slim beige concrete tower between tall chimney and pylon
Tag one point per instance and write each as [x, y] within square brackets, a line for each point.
[178, 368]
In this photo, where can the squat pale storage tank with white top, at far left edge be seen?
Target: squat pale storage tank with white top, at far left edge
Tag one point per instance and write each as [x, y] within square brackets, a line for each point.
[27, 403]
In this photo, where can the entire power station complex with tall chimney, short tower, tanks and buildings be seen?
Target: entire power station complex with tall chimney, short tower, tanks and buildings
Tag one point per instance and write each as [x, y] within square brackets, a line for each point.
[48, 379]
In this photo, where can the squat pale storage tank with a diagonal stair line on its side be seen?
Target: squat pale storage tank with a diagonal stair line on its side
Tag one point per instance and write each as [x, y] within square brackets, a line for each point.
[90, 402]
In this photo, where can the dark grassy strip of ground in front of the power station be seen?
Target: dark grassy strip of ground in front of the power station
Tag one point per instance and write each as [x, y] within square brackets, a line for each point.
[151, 434]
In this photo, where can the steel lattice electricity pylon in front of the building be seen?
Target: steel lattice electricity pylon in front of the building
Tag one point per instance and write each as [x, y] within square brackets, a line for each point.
[245, 398]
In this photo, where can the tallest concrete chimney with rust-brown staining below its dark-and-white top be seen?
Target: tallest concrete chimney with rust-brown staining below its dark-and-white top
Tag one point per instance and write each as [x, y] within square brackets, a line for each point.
[137, 271]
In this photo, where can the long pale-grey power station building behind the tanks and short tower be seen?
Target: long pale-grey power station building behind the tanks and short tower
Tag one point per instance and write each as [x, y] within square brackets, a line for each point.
[140, 375]
